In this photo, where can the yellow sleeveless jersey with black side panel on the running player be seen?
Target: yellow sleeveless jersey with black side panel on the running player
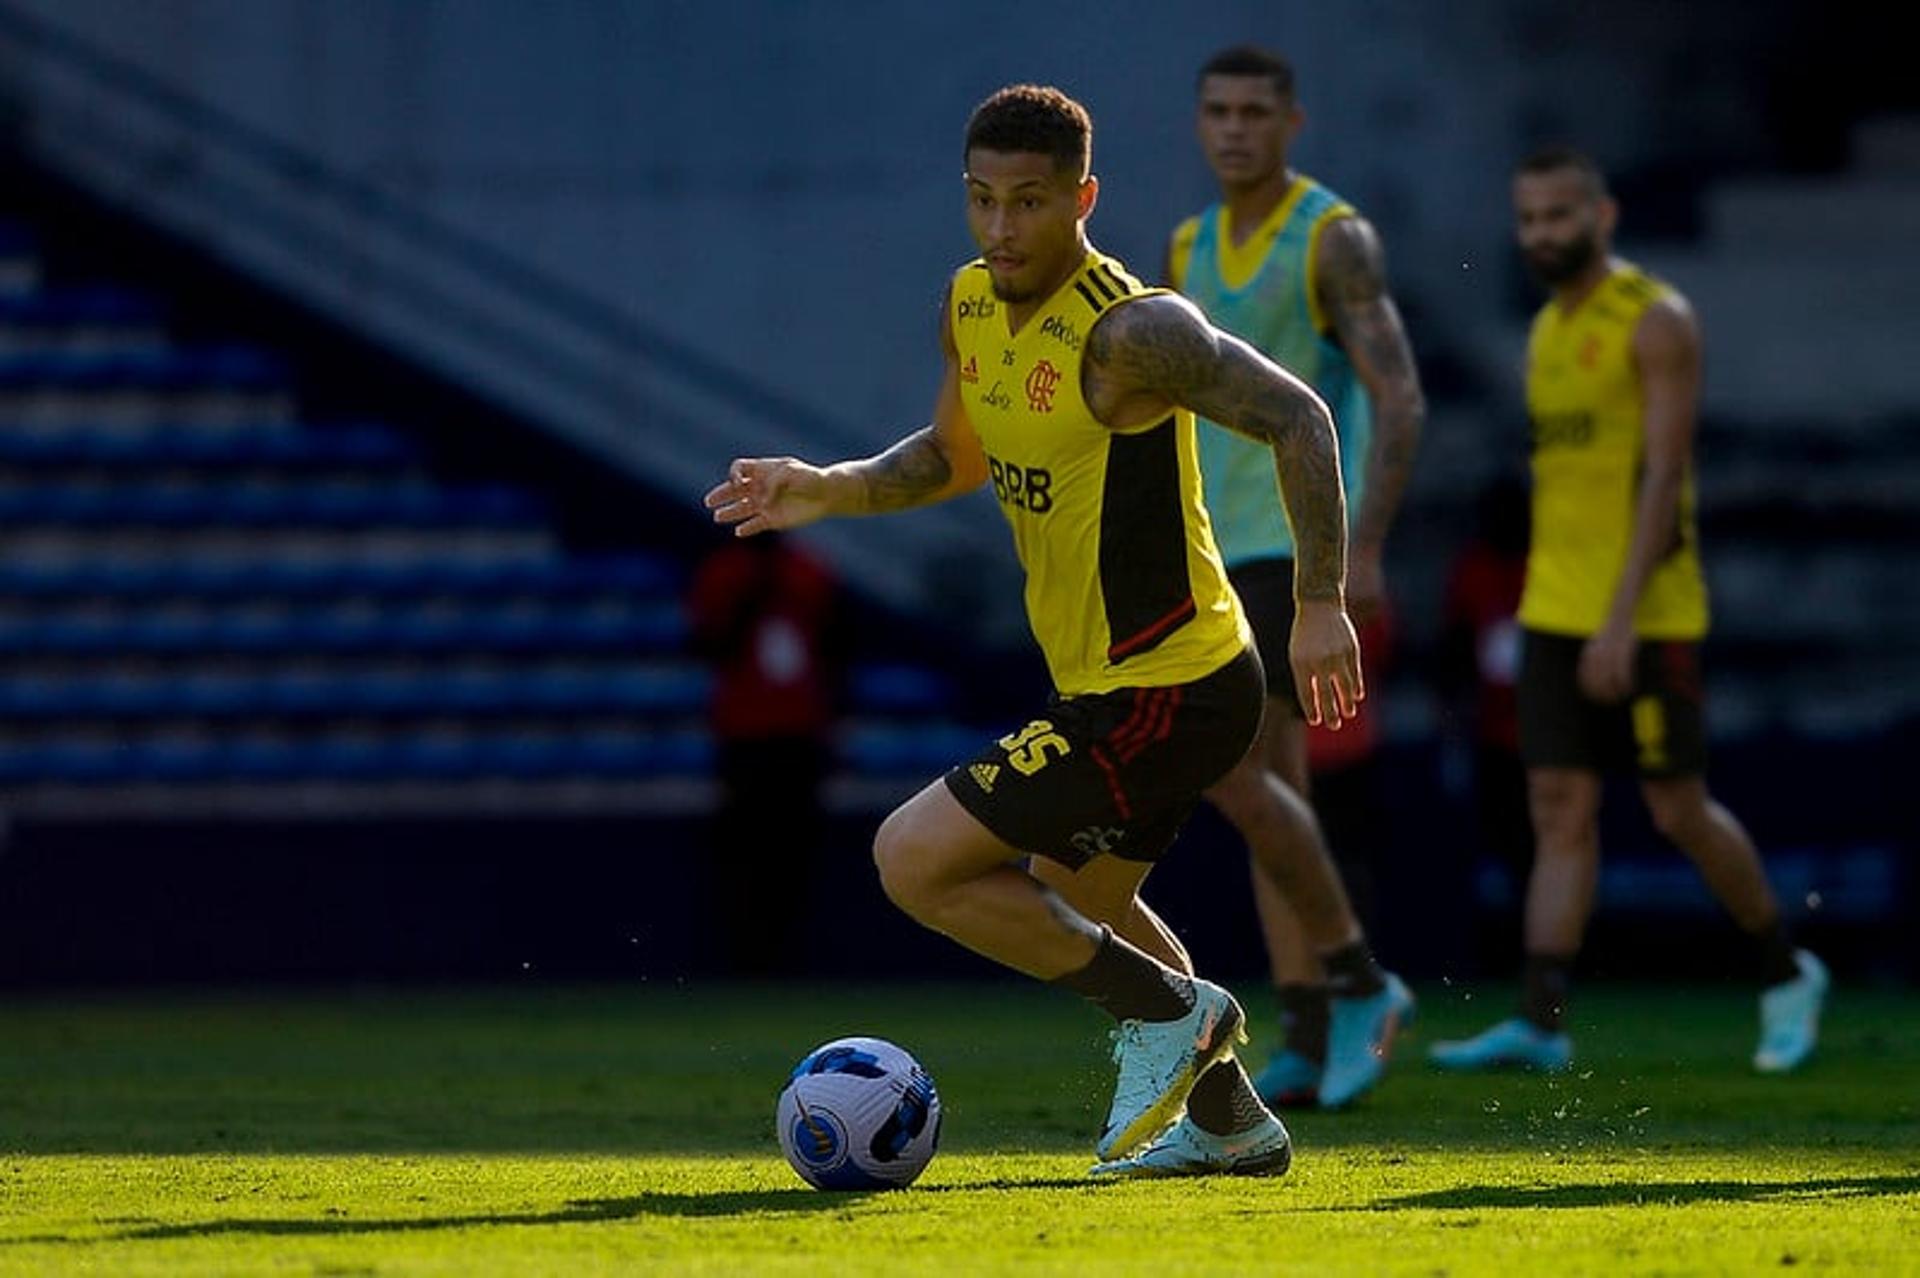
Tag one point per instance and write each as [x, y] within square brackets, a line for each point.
[1124, 582]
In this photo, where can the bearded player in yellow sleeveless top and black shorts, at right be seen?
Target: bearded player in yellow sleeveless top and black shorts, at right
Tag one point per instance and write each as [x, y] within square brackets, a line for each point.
[1614, 615]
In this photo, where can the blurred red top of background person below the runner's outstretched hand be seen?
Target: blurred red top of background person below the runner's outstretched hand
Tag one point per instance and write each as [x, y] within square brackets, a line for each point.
[763, 613]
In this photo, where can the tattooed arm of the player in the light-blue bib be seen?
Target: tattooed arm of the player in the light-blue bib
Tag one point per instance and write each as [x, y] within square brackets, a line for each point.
[1353, 289]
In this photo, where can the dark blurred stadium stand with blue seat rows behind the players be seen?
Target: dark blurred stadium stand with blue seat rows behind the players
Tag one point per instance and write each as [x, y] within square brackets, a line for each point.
[516, 281]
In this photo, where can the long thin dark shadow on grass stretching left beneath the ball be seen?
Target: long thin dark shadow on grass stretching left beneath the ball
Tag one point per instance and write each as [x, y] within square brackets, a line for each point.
[579, 1212]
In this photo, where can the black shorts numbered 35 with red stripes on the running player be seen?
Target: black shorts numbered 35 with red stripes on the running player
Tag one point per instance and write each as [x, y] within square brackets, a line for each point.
[1115, 772]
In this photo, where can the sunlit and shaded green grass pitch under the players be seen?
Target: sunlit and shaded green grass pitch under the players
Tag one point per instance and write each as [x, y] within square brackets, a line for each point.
[581, 1131]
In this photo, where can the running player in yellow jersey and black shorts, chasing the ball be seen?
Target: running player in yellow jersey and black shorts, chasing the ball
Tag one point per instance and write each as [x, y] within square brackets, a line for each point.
[1070, 389]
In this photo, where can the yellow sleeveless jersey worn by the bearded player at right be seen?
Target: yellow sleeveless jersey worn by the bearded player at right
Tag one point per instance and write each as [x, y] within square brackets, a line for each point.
[1583, 396]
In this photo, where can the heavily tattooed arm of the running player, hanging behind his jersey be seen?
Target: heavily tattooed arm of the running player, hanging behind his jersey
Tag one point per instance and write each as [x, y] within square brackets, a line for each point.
[1159, 352]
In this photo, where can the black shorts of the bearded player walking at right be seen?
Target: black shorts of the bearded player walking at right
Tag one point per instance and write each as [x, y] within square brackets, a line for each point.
[1660, 732]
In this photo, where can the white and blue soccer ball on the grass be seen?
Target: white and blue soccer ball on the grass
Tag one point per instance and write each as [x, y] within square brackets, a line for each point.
[859, 1114]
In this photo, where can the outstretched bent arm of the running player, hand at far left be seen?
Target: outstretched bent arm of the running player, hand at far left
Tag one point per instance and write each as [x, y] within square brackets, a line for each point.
[938, 461]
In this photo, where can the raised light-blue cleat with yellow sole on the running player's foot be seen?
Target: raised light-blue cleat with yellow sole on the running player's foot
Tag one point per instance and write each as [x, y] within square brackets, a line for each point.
[1161, 1062]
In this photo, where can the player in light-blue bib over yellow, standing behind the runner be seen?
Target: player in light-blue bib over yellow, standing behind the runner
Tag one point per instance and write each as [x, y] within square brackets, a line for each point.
[1293, 270]
